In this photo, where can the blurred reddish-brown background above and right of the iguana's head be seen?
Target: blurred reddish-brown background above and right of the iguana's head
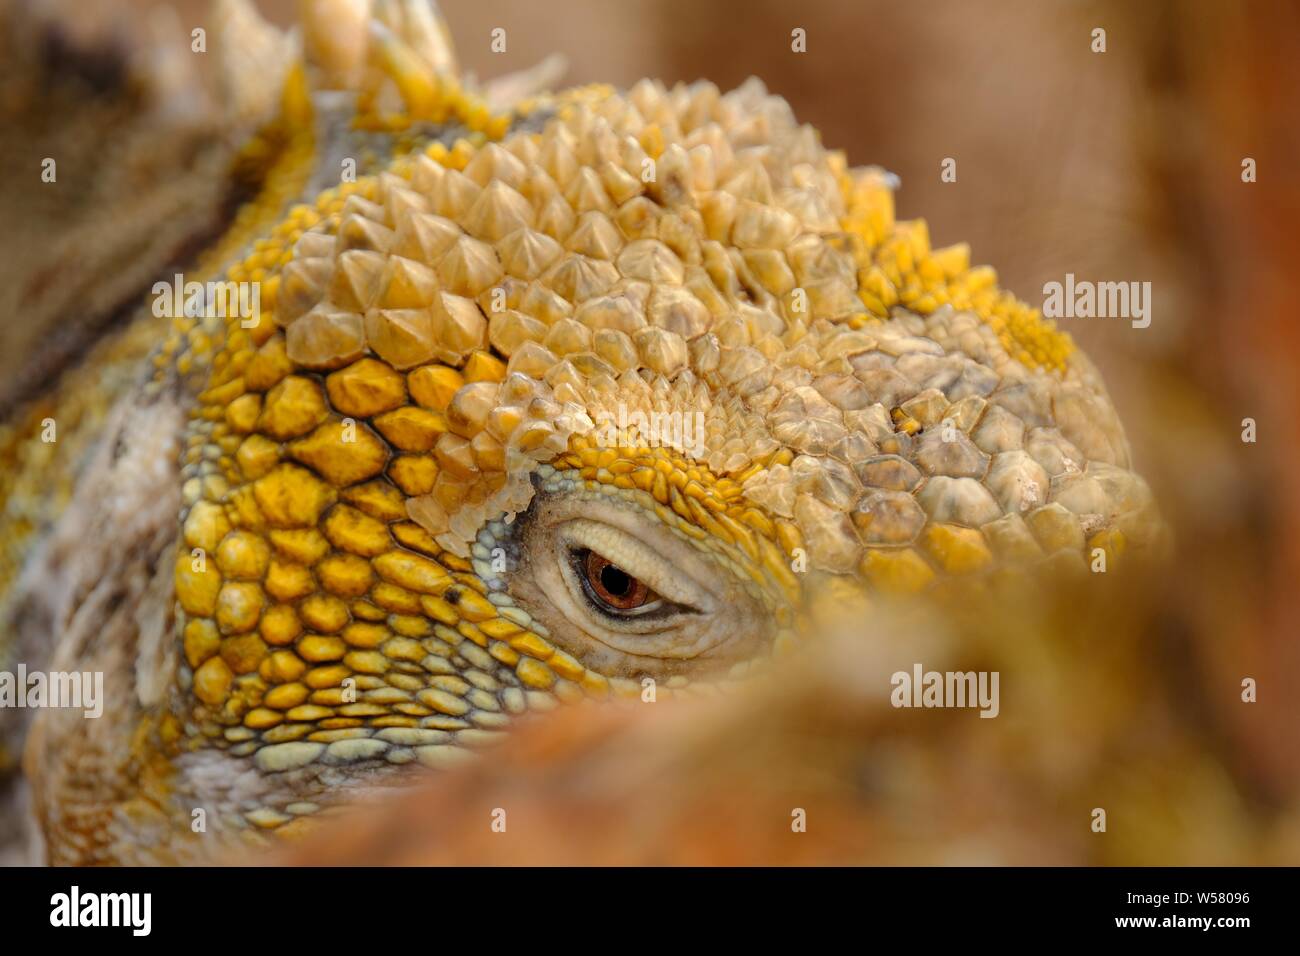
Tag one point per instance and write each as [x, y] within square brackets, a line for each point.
[1124, 166]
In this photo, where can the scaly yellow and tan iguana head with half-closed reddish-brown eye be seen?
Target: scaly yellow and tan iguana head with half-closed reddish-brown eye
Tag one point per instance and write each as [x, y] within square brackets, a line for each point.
[391, 487]
